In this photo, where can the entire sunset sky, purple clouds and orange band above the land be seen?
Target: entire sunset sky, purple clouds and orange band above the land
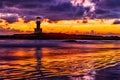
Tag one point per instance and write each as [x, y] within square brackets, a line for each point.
[61, 16]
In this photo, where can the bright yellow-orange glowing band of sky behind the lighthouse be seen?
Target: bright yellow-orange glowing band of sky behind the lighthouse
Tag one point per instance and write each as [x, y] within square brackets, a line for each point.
[98, 26]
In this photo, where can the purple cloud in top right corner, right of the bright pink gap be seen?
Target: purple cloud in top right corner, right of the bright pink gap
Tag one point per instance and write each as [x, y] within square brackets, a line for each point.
[108, 9]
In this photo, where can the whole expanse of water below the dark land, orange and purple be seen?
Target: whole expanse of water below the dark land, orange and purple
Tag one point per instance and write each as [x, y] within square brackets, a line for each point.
[59, 60]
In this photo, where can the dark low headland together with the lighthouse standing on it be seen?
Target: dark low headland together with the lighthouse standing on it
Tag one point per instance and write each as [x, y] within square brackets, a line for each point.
[39, 35]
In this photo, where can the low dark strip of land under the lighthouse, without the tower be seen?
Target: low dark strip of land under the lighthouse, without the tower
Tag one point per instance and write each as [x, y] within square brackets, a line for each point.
[57, 36]
